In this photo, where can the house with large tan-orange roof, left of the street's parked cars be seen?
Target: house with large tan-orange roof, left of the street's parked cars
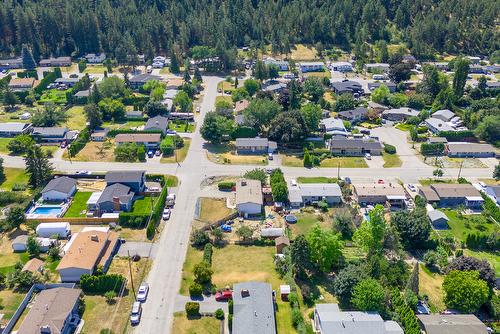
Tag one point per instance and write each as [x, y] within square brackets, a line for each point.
[85, 252]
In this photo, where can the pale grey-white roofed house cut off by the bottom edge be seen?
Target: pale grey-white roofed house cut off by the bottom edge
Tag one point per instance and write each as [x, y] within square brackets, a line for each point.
[329, 319]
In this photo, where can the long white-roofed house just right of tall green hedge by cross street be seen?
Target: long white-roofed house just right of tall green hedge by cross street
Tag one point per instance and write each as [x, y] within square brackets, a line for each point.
[308, 193]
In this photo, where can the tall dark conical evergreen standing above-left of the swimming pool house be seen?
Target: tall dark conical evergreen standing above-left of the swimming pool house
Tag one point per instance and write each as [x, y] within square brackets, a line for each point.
[38, 167]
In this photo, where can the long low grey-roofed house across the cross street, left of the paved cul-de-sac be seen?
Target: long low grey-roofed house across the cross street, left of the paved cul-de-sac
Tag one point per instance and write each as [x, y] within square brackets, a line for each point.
[354, 146]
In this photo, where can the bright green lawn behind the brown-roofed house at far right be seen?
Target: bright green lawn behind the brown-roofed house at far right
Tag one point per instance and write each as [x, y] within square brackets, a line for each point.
[470, 224]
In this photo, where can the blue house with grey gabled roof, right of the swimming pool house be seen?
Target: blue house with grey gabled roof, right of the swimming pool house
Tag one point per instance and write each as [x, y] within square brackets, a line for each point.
[114, 198]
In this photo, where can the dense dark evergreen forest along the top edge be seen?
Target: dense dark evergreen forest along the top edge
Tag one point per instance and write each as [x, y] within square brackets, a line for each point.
[65, 27]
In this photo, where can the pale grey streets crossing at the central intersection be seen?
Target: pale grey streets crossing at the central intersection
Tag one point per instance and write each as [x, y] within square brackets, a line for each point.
[165, 275]
